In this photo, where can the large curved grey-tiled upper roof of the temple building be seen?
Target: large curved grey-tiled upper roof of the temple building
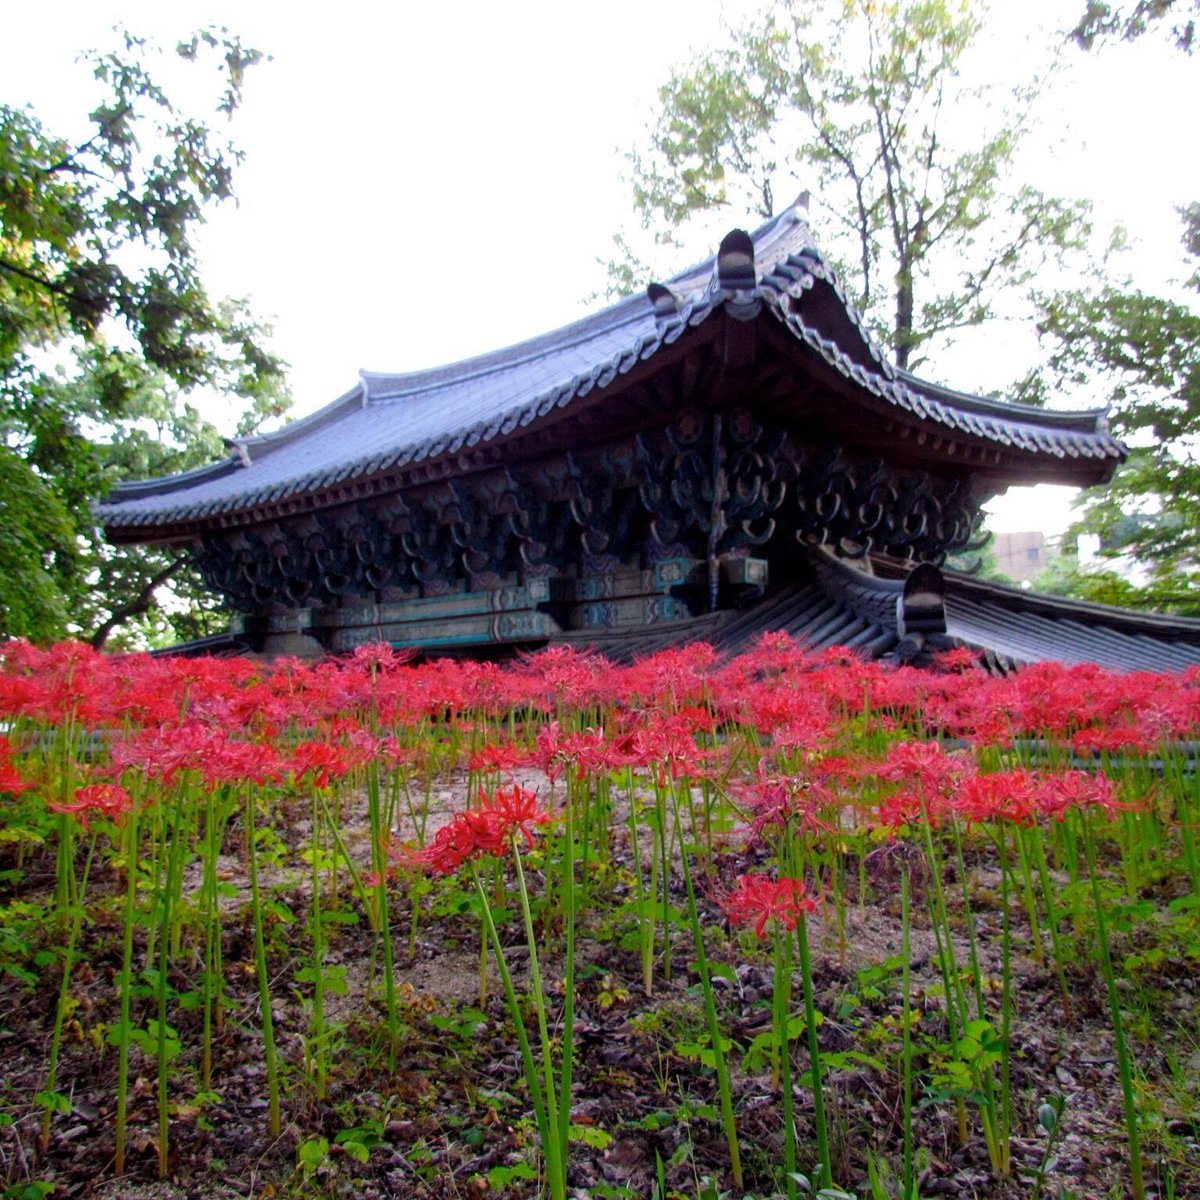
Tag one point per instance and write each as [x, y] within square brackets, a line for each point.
[388, 422]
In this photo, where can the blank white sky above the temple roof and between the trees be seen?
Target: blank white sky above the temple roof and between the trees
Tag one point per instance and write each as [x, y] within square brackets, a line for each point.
[430, 182]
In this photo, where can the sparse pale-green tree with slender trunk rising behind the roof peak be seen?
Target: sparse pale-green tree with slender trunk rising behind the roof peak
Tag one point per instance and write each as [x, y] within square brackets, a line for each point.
[854, 104]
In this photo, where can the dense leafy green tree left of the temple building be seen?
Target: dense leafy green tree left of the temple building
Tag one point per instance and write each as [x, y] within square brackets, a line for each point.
[106, 329]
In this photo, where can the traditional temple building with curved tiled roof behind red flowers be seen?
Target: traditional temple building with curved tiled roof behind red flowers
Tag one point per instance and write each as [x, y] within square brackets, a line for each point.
[725, 454]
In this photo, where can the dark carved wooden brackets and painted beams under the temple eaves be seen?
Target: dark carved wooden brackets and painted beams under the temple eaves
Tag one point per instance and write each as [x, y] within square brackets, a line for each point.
[680, 520]
